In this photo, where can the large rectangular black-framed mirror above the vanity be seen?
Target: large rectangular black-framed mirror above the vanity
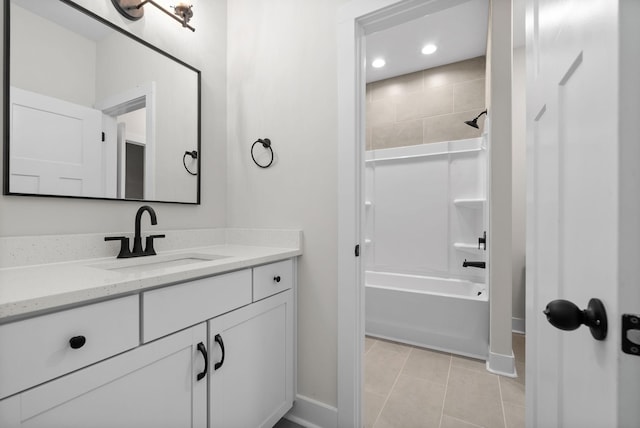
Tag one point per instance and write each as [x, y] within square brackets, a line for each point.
[92, 111]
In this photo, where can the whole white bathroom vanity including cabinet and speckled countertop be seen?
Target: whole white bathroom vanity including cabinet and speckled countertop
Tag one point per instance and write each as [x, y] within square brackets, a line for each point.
[193, 339]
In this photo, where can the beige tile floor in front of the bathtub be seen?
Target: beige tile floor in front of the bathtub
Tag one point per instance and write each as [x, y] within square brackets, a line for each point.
[410, 387]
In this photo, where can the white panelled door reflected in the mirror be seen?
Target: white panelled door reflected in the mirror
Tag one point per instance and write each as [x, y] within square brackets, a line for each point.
[60, 156]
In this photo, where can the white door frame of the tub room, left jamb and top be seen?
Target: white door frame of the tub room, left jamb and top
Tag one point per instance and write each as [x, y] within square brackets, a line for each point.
[356, 19]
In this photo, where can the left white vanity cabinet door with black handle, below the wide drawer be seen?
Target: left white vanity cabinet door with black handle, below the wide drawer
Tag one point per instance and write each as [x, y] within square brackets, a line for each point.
[153, 386]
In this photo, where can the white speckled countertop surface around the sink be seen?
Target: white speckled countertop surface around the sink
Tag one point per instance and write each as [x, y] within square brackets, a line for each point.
[30, 290]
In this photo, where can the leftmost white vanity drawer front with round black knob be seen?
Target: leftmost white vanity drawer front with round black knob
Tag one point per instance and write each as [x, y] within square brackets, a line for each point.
[41, 347]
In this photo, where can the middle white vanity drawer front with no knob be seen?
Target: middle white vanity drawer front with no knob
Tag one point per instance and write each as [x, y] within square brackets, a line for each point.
[180, 306]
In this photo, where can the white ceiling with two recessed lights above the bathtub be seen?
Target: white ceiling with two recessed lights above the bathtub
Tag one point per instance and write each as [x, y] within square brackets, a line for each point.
[459, 32]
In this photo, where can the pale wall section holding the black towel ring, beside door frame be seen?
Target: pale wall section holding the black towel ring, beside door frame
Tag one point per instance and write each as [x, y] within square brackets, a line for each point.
[283, 85]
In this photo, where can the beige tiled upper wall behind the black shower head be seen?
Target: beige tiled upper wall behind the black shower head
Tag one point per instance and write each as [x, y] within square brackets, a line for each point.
[426, 106]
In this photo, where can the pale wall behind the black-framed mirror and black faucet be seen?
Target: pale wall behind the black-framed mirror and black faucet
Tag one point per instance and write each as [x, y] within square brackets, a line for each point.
[206, 50]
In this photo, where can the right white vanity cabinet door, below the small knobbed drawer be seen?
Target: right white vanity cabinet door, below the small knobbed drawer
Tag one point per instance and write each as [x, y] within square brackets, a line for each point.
[252, 379]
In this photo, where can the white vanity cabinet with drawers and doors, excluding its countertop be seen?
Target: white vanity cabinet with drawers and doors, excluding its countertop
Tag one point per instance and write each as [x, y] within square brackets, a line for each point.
[177, 376]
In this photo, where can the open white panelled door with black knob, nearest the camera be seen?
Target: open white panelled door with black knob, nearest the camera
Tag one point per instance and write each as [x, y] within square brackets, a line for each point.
[576, 212]
